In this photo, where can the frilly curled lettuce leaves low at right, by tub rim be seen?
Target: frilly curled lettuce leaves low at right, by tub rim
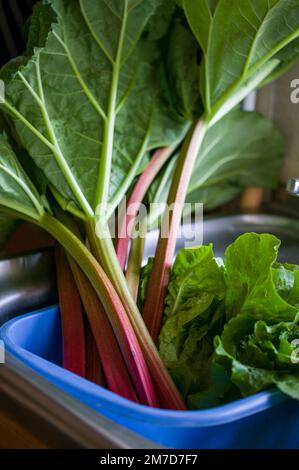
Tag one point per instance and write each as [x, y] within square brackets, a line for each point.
[260, 356]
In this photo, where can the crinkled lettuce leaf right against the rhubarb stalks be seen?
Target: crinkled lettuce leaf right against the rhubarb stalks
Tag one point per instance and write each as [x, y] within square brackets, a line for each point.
[193, 313]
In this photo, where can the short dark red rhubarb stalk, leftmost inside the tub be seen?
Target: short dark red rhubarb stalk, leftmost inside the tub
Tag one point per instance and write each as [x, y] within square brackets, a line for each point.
[72, 318]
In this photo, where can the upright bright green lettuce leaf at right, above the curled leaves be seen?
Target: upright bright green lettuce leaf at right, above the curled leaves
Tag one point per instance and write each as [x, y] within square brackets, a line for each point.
[249, 279]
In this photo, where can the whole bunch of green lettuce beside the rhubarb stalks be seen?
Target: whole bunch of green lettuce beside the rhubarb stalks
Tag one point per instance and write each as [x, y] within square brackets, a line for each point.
[232, 330]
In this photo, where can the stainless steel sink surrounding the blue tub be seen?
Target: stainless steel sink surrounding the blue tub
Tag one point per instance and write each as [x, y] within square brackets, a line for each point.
[28, 282]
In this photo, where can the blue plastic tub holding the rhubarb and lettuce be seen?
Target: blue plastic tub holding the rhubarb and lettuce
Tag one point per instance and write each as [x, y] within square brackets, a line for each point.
[266, 420]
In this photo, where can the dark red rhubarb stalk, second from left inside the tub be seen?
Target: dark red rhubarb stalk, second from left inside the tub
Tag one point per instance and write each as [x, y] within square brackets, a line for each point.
[114, 367]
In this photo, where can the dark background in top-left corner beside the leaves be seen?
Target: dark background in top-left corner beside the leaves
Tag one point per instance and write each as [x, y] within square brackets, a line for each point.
[13, 16]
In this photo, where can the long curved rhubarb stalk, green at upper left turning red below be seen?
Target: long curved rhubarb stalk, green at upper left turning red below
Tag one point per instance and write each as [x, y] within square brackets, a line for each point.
[113, 306]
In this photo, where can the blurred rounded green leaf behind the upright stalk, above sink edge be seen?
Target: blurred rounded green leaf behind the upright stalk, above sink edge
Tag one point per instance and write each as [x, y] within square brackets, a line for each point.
[243, 149]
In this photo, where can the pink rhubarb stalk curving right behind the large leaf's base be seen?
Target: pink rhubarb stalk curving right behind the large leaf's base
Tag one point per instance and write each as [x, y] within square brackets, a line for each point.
[158, 160]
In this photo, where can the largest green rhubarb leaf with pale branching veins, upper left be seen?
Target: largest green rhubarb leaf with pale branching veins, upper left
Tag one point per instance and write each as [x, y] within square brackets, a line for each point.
[87, 106]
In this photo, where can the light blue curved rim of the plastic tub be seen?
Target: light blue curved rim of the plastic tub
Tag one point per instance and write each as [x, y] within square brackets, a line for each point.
[90, 392]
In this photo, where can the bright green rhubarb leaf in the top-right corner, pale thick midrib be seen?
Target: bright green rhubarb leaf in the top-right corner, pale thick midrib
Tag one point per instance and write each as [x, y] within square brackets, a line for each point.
[244, 43]
